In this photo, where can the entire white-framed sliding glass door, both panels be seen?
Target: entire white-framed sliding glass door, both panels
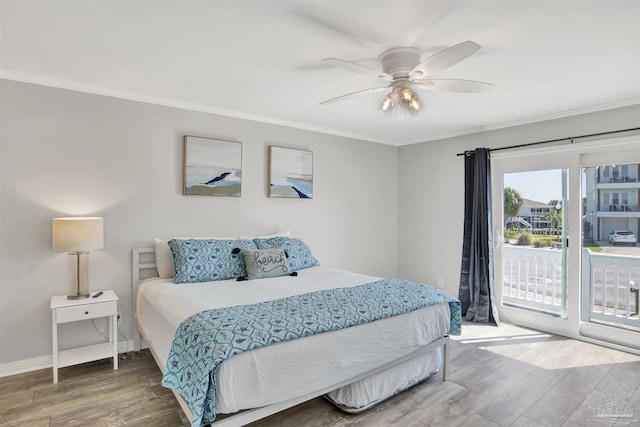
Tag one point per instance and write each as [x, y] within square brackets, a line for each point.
[566, 221]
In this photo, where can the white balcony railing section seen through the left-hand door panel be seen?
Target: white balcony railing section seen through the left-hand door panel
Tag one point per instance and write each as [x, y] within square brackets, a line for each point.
[533, 278]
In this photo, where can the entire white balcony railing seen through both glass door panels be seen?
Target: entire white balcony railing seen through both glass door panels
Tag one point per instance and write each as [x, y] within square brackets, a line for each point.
[533, 280]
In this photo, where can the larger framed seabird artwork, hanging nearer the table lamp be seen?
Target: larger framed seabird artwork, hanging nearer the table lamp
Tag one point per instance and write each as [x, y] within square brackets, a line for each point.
[212, 167]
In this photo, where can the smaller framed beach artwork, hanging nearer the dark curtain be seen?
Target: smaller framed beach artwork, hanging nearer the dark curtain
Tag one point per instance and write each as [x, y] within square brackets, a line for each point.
[290, 173]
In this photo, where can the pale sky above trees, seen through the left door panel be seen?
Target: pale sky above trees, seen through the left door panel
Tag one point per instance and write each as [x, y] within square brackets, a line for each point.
[540, 186]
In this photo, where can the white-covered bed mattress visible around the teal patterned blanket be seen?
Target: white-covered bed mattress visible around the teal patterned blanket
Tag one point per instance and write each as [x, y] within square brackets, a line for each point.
[289, 369]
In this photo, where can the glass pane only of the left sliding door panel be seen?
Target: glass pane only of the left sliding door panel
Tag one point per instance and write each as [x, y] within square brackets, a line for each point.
[534, 253]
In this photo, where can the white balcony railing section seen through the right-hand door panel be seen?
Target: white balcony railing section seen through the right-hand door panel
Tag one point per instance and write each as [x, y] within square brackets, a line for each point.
[610, 289]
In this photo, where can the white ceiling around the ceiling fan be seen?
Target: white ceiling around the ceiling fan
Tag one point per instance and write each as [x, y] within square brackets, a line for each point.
[262, 60]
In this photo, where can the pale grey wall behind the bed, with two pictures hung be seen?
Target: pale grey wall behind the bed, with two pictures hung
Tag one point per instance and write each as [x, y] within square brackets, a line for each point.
[68, 153]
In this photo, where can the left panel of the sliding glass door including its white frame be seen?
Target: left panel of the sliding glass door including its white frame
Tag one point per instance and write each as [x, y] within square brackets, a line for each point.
[531, 202]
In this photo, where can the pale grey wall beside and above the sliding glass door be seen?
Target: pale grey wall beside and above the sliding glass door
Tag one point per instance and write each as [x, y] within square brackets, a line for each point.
[431, 190]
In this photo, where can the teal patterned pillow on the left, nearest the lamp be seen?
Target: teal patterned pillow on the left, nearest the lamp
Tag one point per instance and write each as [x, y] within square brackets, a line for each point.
[198, 260]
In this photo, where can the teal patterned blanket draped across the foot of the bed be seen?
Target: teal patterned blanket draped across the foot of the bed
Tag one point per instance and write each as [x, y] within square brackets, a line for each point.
[206, 339]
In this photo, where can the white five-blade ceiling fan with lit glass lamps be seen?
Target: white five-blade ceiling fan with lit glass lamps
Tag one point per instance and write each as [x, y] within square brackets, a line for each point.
[403, 70]
